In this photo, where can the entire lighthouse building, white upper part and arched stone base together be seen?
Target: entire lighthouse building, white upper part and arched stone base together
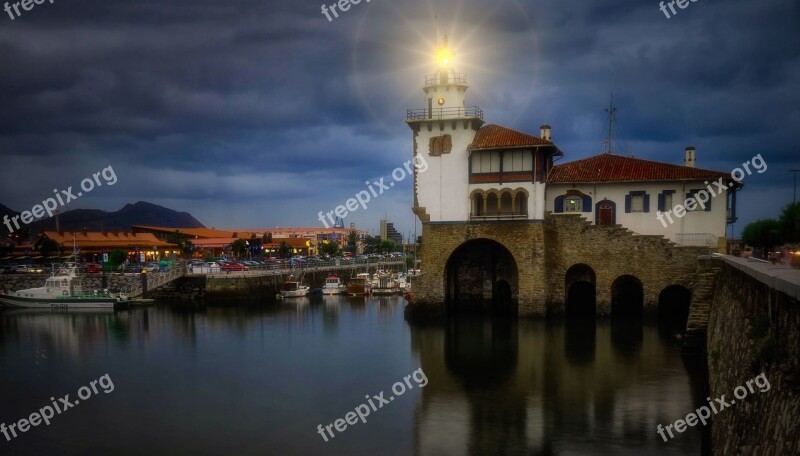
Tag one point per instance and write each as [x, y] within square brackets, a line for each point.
[505, 229]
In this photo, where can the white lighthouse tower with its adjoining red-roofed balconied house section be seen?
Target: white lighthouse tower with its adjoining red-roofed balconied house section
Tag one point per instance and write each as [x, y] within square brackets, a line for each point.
[475, 171]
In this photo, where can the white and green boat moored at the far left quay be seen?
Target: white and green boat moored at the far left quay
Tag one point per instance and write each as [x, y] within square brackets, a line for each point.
[63, 290]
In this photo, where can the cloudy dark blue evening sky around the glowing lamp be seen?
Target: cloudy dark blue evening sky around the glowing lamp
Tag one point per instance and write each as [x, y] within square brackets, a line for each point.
[257, 114]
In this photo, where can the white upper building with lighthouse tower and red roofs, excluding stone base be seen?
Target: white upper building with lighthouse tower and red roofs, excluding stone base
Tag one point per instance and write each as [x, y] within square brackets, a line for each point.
[480, 172]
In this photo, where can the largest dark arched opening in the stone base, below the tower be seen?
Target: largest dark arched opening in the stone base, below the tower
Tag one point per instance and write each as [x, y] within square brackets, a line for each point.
[482, 278]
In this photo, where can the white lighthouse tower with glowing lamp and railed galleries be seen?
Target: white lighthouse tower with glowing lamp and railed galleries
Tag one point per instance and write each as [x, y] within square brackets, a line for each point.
[442, 132]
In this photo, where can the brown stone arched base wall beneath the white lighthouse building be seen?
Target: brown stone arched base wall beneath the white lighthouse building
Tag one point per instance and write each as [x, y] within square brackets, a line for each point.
[545, 250]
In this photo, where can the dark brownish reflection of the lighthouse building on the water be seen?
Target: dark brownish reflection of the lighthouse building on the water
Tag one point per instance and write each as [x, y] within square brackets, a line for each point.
[537, 387]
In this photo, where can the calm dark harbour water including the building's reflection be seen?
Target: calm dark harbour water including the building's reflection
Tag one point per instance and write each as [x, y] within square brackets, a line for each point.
[248, 378]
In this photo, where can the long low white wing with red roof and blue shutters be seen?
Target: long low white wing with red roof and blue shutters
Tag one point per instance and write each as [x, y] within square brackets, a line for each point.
[642, 195]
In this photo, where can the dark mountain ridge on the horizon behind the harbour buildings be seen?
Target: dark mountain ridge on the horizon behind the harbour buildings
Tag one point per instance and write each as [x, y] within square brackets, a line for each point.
[141, 213]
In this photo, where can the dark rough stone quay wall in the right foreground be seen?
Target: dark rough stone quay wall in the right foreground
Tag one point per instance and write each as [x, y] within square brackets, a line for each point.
[754, 329]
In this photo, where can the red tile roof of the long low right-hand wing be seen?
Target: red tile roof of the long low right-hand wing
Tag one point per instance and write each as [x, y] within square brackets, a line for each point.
[608, 167]
